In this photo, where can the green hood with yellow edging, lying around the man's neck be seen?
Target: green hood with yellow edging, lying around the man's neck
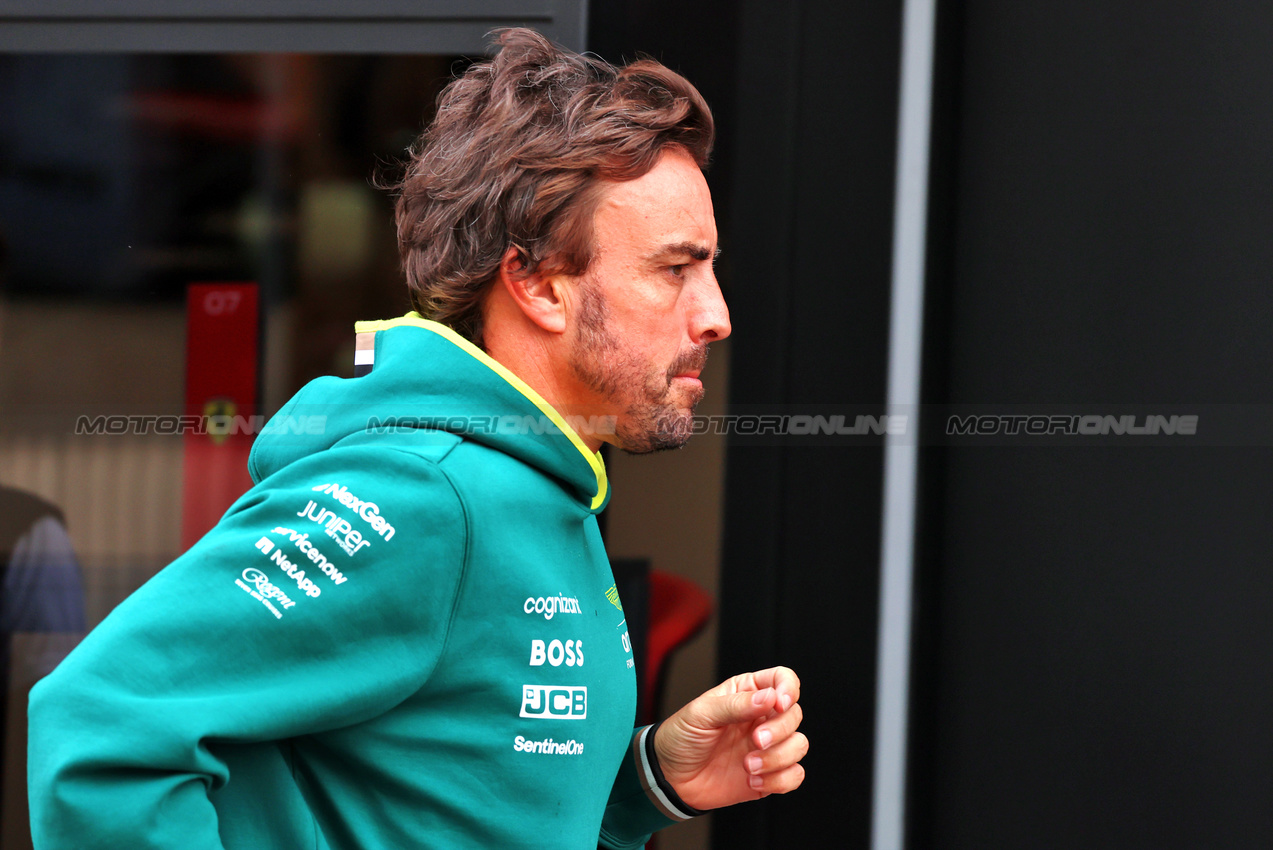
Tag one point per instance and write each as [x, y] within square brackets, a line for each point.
[426, 376]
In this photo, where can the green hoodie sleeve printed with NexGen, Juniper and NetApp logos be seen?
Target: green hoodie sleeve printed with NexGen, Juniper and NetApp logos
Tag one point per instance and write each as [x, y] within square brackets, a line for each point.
[321, 600]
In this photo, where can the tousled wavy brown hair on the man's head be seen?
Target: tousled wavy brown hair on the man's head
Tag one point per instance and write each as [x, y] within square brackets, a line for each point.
[515, 158]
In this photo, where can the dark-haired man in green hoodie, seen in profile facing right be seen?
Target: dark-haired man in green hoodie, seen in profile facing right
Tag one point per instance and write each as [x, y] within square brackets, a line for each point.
[407, 636]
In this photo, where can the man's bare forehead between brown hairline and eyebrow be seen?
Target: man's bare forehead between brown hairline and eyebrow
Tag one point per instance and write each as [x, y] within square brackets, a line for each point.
[669, 206]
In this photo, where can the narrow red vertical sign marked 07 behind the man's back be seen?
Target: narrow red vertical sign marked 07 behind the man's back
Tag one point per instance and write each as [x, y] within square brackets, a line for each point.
[222, 365]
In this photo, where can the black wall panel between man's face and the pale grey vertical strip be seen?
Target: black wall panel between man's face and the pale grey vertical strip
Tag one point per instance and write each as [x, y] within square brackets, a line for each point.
[813, 222]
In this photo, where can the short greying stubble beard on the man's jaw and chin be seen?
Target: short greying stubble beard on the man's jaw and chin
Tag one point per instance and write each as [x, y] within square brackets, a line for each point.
[651, 419]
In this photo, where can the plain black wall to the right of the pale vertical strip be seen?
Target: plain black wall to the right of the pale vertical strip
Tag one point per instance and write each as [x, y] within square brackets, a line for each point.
[1095, 633]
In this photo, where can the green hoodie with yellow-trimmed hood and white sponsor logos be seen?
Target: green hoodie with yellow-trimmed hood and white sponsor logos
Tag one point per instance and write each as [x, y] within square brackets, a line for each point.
[405, 636]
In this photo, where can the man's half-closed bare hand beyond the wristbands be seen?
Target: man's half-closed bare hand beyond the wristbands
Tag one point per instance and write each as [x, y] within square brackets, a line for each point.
[736, 742]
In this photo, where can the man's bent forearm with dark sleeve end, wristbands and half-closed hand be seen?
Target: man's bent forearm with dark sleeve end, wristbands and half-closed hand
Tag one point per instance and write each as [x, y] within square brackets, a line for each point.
[736, 742]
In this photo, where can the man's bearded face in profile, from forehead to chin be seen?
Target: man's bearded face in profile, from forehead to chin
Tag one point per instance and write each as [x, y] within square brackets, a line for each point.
[650, 305]
